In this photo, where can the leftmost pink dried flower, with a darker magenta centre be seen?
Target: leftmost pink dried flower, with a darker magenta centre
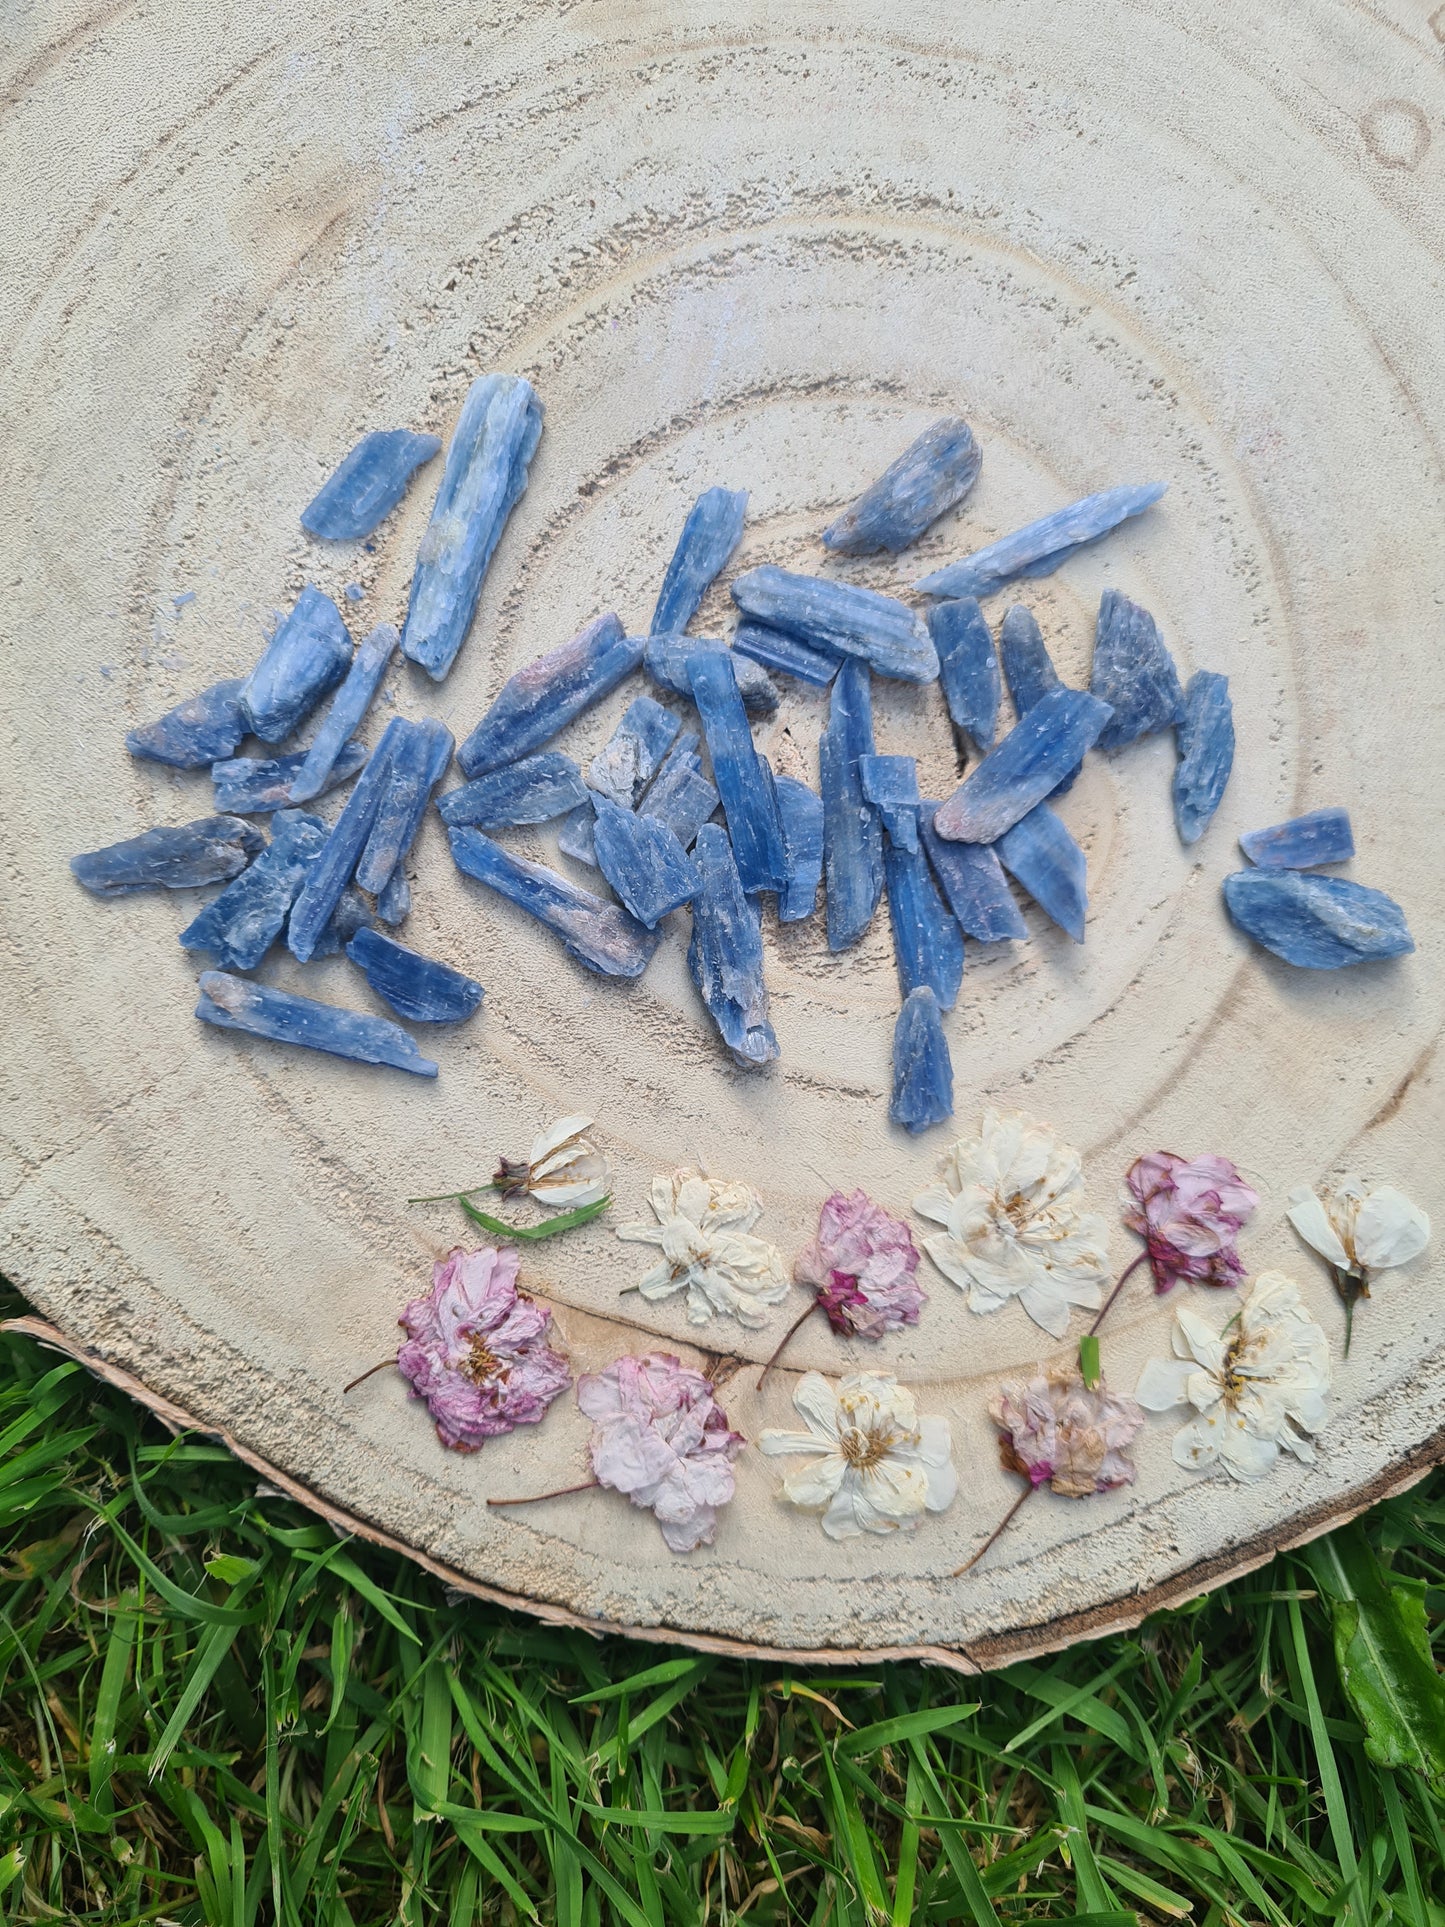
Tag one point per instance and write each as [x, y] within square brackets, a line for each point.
[477, 1350]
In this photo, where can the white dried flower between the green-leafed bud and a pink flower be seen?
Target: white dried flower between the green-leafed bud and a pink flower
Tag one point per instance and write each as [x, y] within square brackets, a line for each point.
[704, 1232]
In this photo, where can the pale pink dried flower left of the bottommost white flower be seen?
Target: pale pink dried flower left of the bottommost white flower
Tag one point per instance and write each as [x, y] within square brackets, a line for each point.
[664, 1440]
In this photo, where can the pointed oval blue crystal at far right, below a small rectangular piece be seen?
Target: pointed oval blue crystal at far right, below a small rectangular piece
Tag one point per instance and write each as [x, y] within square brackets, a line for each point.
[1317, 922]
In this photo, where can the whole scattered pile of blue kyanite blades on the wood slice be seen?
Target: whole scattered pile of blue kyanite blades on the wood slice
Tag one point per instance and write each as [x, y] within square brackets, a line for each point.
[679, 808]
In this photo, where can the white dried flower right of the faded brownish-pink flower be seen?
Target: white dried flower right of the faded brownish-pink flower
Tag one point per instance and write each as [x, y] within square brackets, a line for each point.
[1259, 1386]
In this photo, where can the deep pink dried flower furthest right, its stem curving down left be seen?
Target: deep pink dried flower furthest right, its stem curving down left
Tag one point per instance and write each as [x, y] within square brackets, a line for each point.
[1190, 1213]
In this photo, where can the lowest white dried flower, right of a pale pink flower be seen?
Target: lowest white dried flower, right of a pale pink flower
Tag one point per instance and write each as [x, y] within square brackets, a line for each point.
[878, 1465]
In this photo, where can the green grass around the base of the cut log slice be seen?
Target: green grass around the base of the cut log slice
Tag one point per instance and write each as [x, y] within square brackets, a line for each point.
[217, 1712]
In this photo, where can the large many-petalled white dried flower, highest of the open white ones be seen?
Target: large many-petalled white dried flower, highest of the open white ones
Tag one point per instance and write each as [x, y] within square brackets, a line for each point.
[1014, 1223]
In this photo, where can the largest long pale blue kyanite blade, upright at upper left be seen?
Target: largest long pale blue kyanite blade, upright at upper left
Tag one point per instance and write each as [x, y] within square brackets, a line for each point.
[490, 452]
